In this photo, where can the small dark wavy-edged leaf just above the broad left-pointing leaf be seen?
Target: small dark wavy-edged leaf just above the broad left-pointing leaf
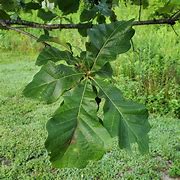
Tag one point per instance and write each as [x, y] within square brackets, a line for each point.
[53, 54]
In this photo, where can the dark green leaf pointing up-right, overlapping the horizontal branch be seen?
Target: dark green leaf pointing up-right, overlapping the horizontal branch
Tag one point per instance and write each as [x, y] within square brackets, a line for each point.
[107, 41]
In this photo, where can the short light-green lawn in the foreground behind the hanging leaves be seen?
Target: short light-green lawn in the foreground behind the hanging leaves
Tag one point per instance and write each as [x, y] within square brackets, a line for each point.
[22, 136]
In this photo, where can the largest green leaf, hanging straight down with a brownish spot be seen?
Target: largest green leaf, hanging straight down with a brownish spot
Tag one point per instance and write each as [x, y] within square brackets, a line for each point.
[75, 135]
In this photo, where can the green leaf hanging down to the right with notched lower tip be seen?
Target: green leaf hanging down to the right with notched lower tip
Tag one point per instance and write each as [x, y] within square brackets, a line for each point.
[123, 118]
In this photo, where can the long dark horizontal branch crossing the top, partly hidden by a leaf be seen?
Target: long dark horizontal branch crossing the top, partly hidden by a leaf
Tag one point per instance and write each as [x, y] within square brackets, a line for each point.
[28, 24]
